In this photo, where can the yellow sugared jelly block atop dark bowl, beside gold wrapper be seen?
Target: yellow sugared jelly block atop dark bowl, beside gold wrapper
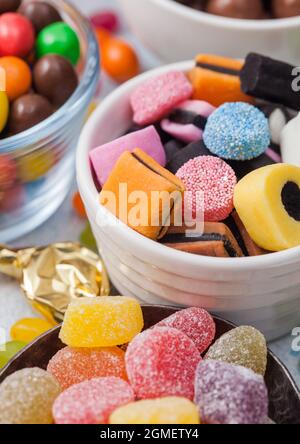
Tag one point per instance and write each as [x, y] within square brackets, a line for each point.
[101, 322]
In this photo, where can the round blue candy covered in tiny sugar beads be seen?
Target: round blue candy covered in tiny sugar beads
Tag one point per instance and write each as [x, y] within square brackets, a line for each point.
[237, 131]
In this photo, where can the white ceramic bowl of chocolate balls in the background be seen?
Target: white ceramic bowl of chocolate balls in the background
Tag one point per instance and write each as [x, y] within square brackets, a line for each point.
[186, 32]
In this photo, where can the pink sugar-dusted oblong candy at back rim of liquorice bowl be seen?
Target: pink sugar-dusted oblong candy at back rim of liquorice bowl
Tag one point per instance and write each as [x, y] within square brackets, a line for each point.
[155, 98]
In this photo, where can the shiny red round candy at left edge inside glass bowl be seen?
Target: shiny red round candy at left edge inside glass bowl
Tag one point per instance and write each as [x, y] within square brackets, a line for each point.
[16, 35]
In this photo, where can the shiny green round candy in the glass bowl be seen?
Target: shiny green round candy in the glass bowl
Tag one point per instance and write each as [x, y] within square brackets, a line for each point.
[58, 38]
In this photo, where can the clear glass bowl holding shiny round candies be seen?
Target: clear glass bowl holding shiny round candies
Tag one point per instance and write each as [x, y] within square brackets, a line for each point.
[43, 156]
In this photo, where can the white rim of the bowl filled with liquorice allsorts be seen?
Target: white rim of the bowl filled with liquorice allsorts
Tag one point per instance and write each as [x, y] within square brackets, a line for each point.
[86, 183]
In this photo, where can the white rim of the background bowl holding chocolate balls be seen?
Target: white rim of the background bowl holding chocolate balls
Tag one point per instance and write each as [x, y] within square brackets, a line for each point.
[227, 22]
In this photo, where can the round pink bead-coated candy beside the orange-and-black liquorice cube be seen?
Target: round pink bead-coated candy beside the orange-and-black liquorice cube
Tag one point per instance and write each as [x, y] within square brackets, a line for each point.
[216, 180]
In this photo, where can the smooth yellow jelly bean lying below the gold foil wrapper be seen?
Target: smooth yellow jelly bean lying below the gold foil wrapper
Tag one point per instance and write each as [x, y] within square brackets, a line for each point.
[26, 330]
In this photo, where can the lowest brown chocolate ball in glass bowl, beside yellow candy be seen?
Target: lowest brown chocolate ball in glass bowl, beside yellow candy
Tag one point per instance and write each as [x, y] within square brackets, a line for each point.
[27, 111]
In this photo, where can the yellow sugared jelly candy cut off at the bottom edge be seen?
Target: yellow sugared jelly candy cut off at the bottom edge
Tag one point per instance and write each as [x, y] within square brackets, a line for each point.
[171, 410]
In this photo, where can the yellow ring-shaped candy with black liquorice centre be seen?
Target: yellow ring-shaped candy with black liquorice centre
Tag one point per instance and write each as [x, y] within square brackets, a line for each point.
[268, 203]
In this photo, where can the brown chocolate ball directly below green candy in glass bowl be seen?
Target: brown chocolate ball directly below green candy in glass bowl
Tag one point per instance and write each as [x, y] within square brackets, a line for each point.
[54, 77]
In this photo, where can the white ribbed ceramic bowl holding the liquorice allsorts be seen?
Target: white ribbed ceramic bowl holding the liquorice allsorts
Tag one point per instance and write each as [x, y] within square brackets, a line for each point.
[263, 291]
